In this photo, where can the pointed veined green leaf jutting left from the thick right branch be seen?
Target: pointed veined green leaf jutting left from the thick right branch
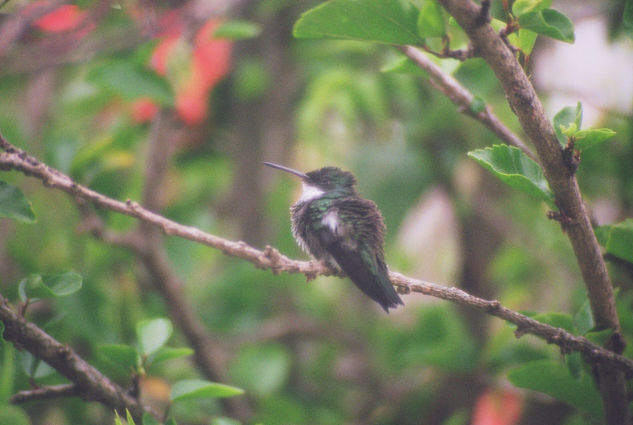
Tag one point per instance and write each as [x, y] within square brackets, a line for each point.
[516, 169]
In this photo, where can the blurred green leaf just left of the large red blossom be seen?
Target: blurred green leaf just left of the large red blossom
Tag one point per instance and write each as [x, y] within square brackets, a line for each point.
[131, 81]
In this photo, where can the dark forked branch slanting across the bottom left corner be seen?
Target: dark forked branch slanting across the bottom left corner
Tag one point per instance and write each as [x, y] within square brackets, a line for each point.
[89, 383]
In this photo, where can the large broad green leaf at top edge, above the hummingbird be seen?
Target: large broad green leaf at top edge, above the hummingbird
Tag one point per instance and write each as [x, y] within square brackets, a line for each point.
[382, 21]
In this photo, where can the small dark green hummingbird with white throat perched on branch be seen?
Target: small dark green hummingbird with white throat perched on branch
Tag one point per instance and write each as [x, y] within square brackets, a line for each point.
[333, 224]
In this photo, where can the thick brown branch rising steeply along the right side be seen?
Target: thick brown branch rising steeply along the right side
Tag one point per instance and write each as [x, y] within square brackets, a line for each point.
[526, 105]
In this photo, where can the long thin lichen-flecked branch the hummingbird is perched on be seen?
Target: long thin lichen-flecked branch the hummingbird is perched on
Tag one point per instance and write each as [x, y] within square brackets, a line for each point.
[270, 258]
